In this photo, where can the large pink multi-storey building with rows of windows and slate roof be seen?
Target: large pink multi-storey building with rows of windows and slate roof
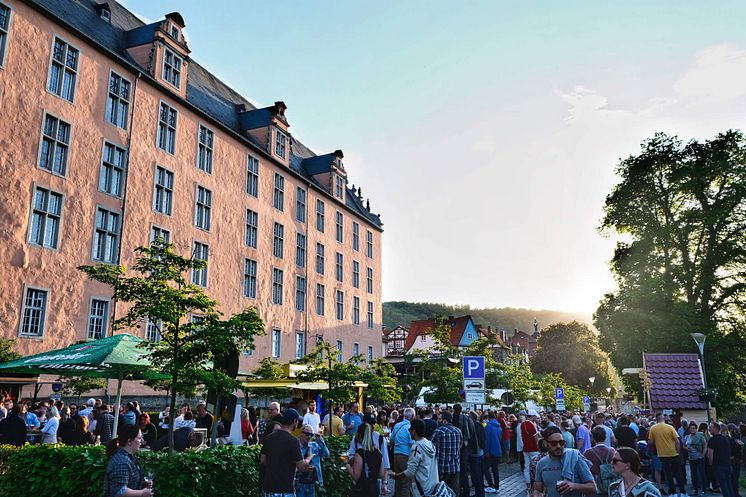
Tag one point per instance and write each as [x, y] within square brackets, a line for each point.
[111, 135]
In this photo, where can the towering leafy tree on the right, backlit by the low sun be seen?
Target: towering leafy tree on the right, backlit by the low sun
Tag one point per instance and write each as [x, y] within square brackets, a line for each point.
[681, 209]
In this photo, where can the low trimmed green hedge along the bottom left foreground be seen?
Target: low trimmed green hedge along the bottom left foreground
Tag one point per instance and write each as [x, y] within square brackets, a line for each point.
[223, 471]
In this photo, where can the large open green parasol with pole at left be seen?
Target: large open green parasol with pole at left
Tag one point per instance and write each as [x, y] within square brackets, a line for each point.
[117, 357]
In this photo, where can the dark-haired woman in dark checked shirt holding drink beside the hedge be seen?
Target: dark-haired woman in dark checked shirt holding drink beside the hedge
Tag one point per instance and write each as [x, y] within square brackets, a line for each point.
[124, 478]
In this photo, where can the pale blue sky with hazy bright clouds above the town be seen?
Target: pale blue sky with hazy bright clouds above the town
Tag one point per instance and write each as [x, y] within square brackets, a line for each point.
[485, 133]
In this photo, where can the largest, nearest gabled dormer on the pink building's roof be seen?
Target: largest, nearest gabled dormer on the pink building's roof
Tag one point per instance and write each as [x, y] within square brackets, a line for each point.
[161, 49]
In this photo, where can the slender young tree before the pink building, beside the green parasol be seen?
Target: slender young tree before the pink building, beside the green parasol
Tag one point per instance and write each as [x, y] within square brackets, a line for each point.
[190, 350]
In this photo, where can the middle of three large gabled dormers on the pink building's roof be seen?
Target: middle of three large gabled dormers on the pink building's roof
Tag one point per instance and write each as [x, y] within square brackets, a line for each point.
[268, 127]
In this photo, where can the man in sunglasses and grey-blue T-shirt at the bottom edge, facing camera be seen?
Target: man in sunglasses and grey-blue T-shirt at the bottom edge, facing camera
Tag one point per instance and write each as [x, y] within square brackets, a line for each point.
[565, 472]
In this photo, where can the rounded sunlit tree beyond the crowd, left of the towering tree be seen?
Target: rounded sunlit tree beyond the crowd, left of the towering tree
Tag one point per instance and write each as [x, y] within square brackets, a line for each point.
[572, 350]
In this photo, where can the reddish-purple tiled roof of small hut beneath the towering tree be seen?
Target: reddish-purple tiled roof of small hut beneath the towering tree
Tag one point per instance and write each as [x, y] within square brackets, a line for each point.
[674, 380]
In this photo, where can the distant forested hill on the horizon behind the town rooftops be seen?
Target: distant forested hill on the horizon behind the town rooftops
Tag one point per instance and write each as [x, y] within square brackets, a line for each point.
[402, 313]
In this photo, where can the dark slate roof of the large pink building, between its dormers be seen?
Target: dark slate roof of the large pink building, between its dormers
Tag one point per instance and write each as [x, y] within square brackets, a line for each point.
[205, 93]
